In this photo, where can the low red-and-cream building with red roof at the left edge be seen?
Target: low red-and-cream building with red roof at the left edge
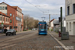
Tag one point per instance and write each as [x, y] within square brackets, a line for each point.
[4, 21]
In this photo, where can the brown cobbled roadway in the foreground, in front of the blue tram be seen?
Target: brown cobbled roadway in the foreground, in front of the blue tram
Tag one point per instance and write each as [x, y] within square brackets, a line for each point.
[31, 41]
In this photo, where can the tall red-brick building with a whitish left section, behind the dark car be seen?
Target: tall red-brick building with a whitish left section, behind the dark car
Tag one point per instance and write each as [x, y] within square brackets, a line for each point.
[16, 16]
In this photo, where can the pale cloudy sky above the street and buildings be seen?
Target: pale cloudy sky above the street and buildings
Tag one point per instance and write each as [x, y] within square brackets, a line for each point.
[39, 8]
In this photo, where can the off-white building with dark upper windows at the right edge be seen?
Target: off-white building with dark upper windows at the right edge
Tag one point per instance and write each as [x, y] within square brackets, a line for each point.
[70, 16]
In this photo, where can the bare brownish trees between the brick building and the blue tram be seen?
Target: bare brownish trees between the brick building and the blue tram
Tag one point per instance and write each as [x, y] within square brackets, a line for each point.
[30, 22]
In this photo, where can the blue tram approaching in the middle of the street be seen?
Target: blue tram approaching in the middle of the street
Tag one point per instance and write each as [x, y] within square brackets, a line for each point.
[42, 28]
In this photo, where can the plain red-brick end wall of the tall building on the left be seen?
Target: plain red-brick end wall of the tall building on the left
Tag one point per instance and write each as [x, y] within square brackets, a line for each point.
[13, 12]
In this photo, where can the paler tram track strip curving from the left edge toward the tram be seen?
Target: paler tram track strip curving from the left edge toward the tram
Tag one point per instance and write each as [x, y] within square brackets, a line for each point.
[15, 41]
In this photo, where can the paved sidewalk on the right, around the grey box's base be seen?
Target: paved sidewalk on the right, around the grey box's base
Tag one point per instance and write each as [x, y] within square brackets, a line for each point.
[69, 43]
